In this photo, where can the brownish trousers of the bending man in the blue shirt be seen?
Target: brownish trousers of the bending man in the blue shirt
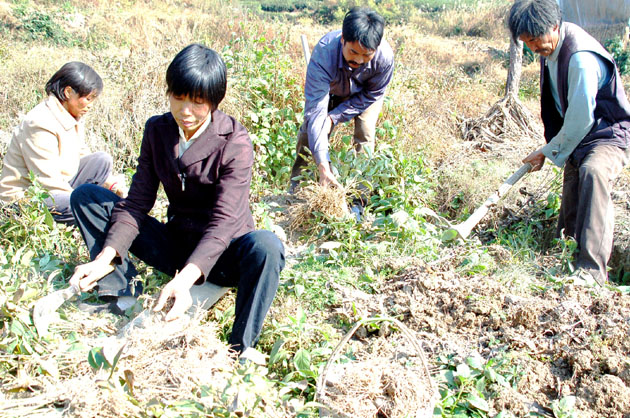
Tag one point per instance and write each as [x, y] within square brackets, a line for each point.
[364, 134]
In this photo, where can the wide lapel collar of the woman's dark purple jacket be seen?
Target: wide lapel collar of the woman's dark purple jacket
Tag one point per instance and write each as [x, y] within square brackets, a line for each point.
[210, 141]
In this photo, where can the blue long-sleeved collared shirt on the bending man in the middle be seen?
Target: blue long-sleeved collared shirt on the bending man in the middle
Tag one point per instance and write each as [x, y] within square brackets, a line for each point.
[327, 74]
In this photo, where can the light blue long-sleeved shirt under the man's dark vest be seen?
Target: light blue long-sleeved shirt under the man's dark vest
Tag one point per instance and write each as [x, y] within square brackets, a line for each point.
[587, 74]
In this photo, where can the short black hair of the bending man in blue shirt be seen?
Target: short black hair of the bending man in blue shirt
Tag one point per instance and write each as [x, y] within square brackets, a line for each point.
[363, 25]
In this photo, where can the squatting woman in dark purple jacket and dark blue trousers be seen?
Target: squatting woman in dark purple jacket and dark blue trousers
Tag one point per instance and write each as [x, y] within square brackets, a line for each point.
[203, 159]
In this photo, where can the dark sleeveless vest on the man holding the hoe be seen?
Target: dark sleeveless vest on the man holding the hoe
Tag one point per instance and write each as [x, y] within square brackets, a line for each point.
[612, 110]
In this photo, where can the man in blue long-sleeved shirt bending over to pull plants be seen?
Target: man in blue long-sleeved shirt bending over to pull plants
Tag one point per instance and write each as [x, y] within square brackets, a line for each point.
[345, 79]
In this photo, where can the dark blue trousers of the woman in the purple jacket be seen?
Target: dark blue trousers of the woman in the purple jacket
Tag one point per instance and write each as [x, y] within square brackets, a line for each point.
[252, 263]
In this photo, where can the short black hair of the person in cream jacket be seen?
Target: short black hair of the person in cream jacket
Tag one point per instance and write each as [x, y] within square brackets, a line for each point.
[81, 77]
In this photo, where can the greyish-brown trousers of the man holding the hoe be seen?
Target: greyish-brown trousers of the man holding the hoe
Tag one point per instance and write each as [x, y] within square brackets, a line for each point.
[587, 211]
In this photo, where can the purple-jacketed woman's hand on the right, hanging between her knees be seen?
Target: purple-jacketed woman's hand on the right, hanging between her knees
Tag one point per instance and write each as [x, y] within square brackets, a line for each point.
[179, 289]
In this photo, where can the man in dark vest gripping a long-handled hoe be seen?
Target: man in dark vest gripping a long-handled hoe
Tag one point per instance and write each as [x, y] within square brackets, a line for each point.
[586, 116]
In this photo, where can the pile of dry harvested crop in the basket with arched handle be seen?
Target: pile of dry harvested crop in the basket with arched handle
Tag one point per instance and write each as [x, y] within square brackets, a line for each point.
[388, 379]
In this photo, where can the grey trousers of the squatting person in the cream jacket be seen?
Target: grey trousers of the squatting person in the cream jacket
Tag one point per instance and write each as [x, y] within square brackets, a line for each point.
[93, 169]
